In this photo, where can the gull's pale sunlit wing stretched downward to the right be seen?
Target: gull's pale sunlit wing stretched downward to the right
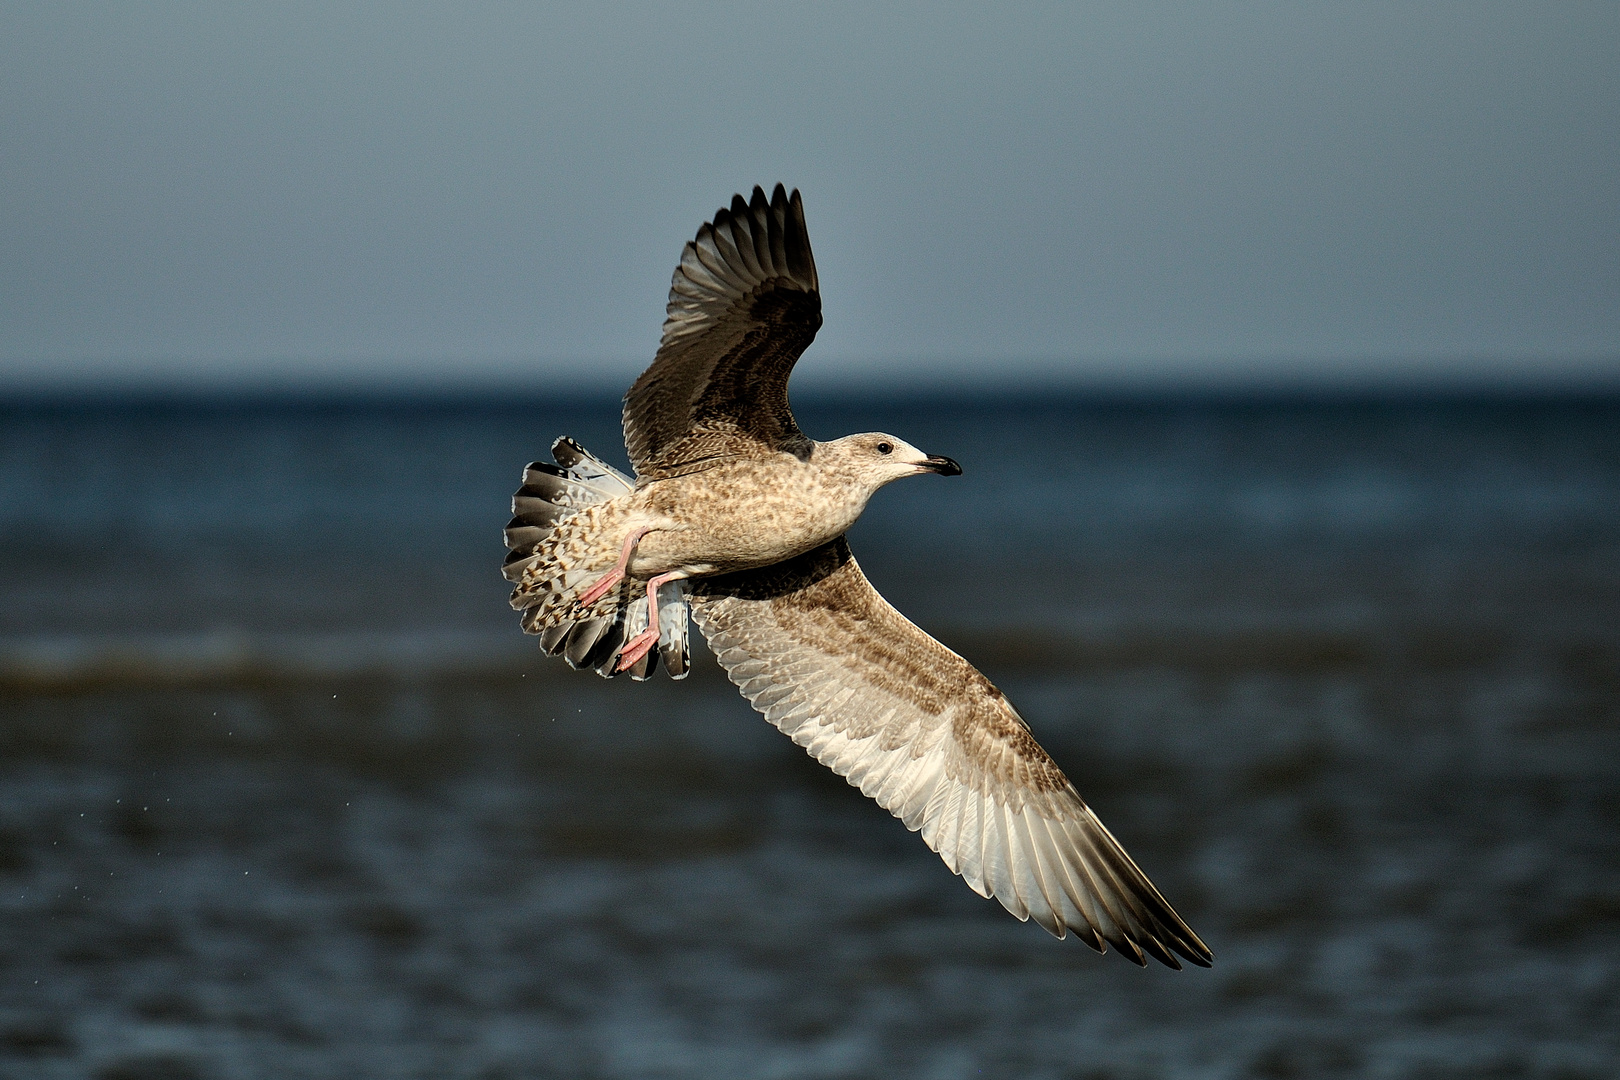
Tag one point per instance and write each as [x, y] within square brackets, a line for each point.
[914, 726]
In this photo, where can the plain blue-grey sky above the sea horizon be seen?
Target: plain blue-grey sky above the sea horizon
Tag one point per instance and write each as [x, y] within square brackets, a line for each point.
[469, 192]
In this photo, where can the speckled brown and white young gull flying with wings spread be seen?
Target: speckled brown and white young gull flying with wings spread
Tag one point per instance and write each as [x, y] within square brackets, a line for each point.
[736, 521]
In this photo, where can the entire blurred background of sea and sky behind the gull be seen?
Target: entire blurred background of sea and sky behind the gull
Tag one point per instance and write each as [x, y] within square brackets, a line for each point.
[1281, 346]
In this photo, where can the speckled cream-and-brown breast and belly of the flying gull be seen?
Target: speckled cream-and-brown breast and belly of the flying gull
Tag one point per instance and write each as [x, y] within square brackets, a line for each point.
[743, 514]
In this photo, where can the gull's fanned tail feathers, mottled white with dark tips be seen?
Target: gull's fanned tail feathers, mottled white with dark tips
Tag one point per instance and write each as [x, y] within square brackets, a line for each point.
[550, 496]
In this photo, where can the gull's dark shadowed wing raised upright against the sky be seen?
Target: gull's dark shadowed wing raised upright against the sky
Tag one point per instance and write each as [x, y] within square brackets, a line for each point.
[744, 304]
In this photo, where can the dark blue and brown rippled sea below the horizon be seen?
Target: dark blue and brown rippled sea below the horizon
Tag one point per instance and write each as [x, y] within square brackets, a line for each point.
[284, 793]
